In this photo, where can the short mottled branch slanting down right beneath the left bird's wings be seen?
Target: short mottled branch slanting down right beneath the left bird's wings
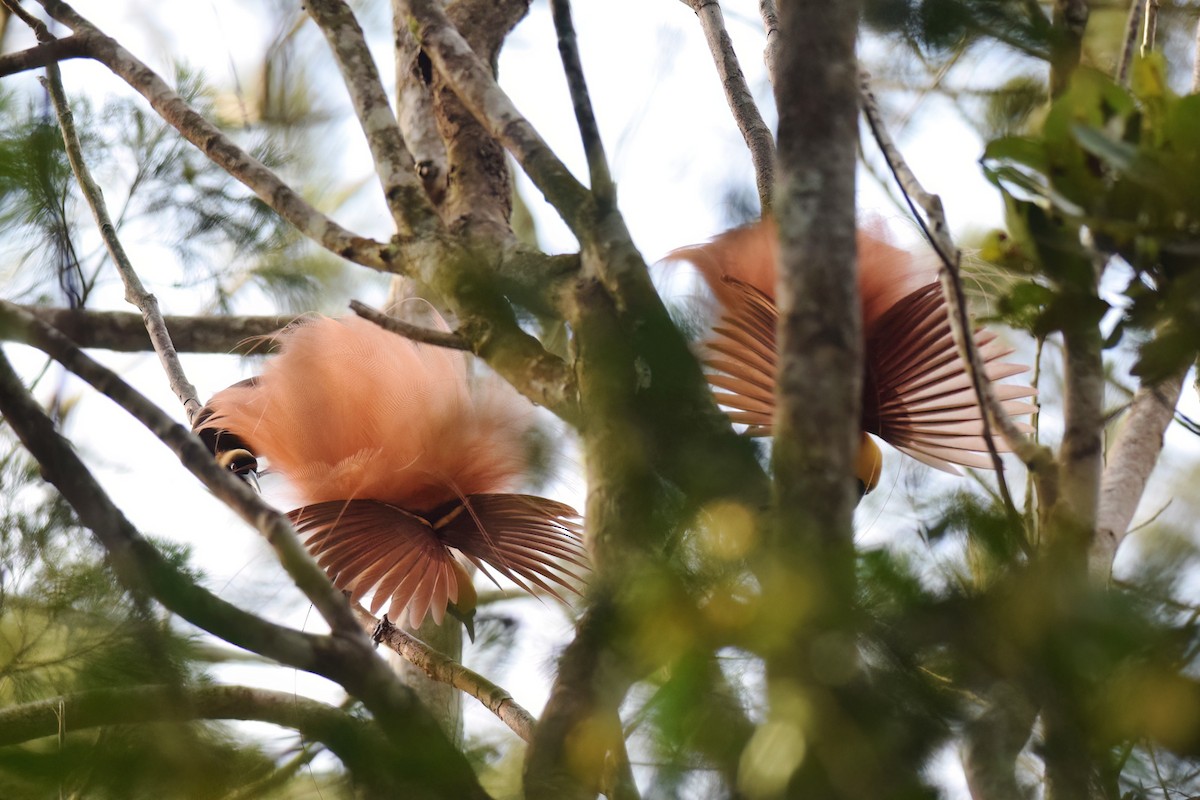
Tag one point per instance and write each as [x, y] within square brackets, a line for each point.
[448, 671]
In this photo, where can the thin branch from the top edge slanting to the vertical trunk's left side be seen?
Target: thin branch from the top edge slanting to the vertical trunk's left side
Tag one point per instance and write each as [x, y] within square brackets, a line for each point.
[737, 94]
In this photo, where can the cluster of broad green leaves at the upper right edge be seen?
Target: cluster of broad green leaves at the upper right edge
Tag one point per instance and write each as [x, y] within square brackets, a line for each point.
[1121, 164]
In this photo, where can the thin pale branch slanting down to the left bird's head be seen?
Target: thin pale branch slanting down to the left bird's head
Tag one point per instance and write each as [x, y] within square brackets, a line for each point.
[135, 292]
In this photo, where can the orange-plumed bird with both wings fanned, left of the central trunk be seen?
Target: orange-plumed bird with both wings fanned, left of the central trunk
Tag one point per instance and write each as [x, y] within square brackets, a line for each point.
[405, 466]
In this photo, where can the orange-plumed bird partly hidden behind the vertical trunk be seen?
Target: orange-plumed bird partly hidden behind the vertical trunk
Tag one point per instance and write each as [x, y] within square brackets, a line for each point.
[917, 394]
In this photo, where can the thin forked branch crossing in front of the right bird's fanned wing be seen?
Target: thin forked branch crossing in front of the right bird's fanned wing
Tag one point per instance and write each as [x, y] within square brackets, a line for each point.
[934, 225]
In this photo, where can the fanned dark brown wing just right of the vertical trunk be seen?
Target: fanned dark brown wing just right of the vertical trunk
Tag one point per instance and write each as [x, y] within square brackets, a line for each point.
[919, 396]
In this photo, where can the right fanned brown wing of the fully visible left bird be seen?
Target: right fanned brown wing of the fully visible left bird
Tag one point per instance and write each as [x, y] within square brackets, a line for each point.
[529, 540]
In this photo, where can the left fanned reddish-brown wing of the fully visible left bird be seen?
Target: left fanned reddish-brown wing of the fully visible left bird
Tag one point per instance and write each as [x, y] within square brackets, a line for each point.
[368, 546]
